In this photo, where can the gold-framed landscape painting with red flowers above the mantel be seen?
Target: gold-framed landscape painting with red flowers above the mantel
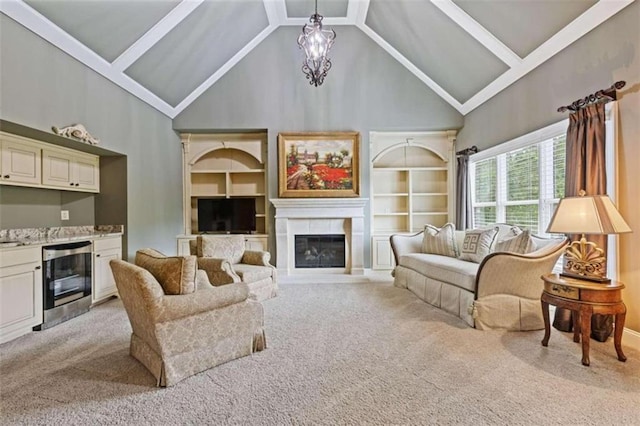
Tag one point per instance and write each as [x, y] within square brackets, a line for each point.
[323, 164]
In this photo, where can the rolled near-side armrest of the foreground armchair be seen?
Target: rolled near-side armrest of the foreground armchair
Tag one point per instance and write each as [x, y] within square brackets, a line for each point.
[185, 305]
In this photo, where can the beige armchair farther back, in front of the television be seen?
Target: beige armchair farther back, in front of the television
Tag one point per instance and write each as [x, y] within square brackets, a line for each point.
[226, 260]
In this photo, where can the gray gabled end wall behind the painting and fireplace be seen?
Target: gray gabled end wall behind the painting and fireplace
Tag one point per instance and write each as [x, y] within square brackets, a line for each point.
[365, 90]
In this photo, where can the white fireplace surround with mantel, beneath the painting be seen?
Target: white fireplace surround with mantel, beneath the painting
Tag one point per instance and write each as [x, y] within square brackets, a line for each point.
[304, 216]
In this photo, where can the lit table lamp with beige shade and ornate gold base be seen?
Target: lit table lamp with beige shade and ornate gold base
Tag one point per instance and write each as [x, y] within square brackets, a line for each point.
[586, 214]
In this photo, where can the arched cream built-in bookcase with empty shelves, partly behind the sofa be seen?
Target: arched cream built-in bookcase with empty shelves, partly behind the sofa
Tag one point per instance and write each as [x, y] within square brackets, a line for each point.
[412, 185]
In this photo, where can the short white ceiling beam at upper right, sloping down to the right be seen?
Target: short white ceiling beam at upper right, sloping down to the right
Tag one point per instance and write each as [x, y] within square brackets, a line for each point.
[477, 31]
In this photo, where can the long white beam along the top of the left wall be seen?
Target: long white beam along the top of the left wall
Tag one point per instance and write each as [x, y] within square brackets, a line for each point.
[34, 21]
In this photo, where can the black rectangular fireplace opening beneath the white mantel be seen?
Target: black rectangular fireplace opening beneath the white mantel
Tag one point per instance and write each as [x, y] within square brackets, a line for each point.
[319, 251]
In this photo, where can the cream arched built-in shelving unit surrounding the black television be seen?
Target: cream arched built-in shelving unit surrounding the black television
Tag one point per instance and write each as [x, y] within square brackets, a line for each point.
[224, 166]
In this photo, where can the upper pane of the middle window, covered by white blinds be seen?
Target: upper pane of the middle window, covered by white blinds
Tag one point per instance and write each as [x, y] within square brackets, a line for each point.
[523, 174]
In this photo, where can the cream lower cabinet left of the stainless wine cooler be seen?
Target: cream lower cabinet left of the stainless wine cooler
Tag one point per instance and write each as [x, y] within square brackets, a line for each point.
[20, 291]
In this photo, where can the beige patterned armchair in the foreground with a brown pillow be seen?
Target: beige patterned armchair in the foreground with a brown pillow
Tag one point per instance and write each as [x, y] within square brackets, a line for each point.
[181, 324]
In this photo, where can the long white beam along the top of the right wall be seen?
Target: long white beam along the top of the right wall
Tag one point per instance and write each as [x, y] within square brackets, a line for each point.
[591, 18]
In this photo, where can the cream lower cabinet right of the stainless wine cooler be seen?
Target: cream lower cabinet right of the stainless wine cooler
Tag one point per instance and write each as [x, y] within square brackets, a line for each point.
[104, 250]
